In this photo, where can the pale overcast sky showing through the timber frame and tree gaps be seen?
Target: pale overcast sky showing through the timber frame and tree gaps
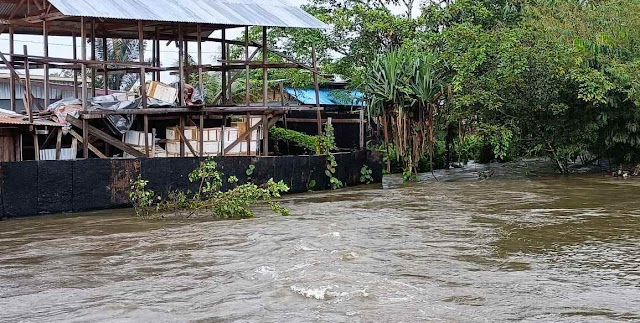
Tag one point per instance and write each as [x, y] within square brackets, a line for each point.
[62, 46]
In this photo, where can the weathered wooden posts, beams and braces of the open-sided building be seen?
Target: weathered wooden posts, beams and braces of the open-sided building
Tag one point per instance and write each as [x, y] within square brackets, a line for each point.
[40, 17]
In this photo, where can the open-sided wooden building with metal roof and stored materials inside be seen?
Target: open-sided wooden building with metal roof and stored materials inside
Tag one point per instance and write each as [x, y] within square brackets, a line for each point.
[179, 126]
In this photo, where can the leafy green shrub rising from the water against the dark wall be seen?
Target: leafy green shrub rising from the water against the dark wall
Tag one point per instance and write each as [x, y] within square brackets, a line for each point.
[210, 200]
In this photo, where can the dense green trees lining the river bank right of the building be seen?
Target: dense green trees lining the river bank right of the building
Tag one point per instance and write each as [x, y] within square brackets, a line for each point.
[528, 78]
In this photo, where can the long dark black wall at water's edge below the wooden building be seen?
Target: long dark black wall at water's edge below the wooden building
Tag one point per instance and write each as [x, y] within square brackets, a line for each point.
[46, 187]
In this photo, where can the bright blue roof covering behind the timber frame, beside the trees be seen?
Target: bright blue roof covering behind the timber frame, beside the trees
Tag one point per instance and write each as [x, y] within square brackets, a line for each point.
[328, 97]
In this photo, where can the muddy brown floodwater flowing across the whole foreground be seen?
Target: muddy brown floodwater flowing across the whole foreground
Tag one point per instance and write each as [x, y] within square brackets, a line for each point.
[511, 247]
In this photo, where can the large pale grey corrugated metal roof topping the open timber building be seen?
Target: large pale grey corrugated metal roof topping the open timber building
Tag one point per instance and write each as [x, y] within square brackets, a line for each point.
[272, 13]
